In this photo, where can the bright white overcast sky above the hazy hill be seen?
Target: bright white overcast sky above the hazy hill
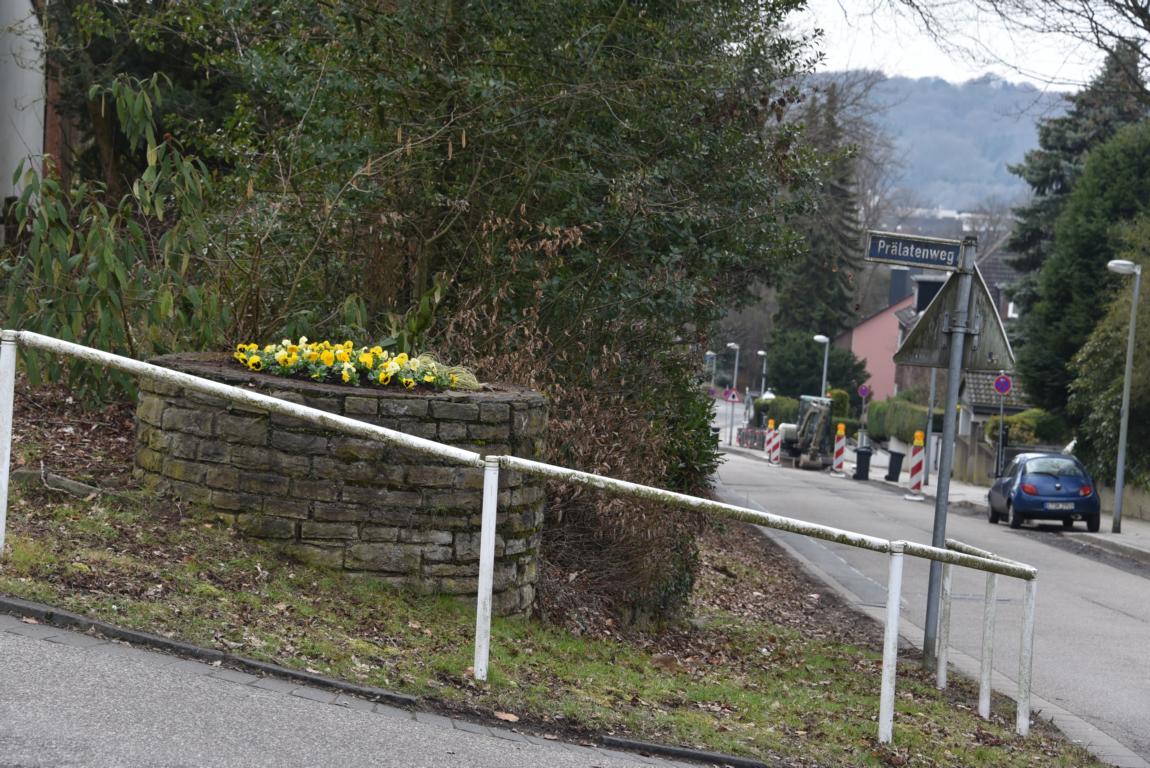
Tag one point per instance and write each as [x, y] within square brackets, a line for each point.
[893, 43]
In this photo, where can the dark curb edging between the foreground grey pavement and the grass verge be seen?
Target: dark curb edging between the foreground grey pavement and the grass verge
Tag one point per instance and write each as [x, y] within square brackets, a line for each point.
[50, 616]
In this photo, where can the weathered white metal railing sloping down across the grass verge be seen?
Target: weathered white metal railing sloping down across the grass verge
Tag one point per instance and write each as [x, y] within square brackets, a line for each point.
[957, 555]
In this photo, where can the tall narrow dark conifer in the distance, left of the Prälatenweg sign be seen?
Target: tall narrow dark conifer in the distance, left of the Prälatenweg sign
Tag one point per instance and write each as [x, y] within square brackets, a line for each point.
[818, 296]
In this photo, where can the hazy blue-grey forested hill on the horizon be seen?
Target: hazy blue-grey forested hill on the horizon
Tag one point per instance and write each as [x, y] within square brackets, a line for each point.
[956, 141]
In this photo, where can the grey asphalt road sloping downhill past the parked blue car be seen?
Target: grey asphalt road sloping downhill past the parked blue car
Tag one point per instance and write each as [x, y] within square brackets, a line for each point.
[1091, 658]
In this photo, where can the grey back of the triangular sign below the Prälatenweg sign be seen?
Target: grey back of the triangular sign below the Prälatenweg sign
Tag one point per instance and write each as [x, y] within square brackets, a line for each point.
[986, 348]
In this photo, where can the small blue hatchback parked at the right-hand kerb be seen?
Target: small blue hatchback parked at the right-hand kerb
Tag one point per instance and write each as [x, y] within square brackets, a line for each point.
[1045, 487]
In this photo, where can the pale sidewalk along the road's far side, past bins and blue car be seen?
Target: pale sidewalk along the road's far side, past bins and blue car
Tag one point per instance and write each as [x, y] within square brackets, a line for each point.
[1133, 543]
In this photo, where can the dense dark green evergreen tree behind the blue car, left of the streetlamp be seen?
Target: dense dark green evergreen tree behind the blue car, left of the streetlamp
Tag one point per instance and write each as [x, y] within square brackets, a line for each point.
[1074, 285]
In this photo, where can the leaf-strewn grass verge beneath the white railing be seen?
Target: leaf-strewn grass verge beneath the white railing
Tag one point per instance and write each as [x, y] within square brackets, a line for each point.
[766, 667]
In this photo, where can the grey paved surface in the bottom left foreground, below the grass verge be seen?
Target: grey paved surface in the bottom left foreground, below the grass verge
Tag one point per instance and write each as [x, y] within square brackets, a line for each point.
[76, 700]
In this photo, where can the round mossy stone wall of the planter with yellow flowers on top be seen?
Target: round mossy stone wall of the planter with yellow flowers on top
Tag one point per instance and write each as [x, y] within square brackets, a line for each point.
[351, 503]
